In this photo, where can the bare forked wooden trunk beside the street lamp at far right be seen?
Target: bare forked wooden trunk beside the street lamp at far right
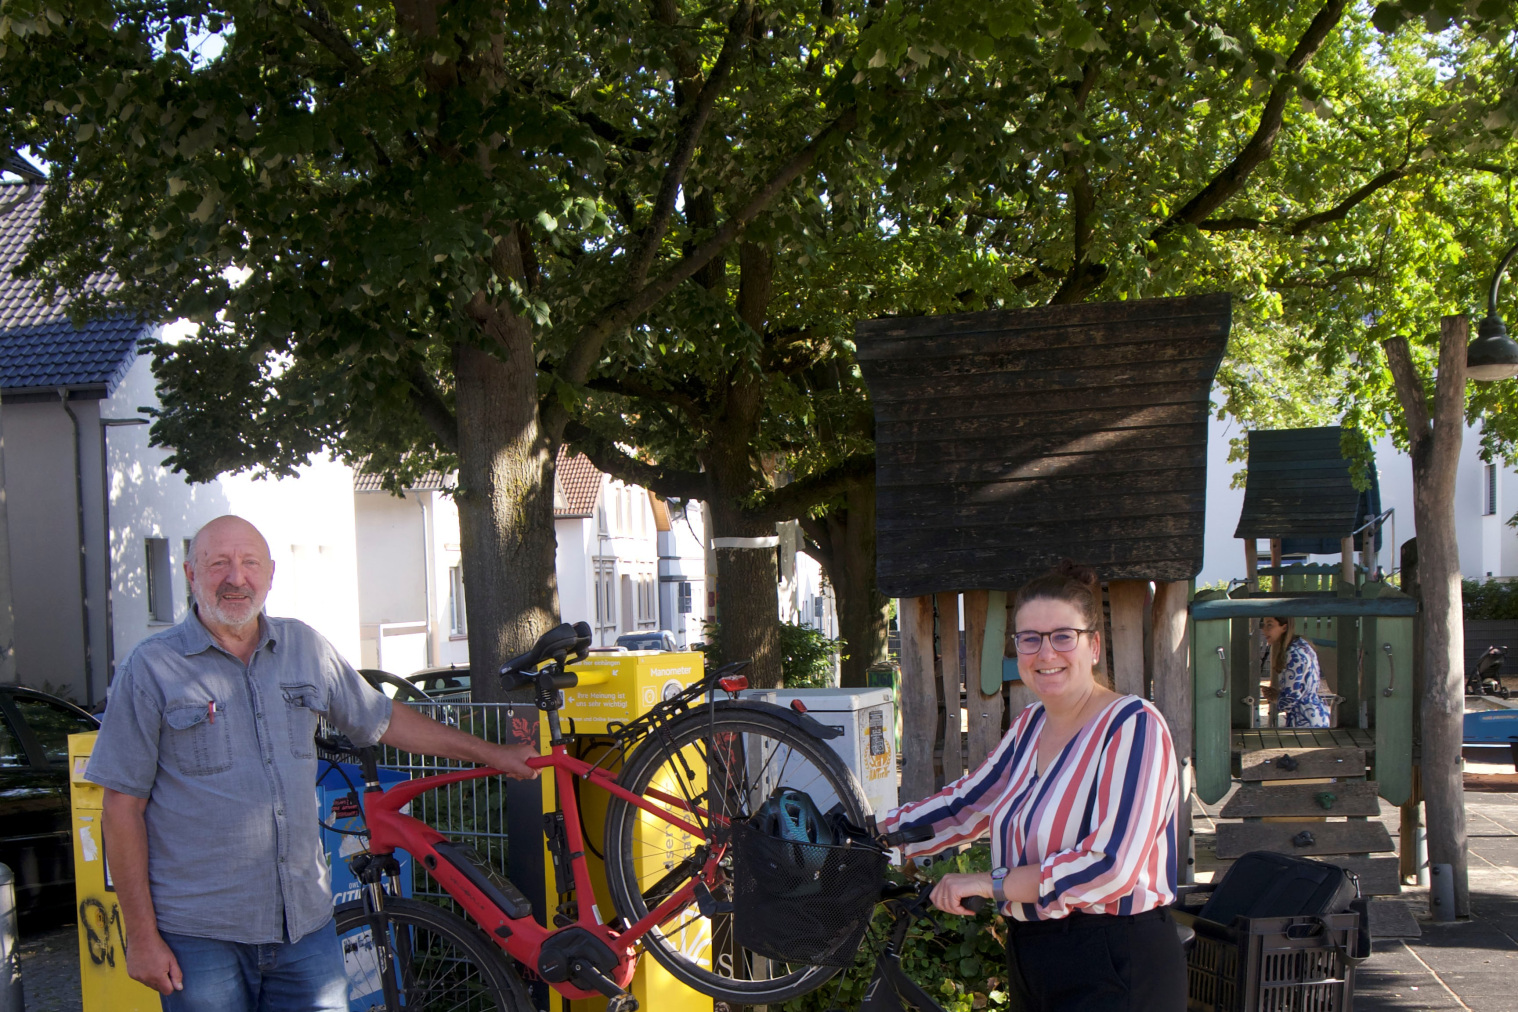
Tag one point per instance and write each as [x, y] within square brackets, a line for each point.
[1435, 444]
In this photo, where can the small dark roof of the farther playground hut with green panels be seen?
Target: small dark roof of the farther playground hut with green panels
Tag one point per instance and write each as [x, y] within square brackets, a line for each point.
[1300, 488]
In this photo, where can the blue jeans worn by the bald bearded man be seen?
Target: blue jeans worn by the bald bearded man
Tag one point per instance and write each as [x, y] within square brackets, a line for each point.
[301, 976]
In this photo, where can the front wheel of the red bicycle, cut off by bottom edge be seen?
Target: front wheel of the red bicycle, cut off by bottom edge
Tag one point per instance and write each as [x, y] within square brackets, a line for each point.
[453, 967]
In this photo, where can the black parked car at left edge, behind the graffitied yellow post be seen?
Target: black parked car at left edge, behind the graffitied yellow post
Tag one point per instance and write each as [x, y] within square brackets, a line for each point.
[36, 817]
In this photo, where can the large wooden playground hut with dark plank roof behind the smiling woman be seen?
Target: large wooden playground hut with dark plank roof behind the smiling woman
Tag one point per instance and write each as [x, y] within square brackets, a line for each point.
[1010, 441]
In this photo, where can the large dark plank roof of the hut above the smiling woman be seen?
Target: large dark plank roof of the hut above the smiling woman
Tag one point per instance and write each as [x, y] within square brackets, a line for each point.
[1009, 441]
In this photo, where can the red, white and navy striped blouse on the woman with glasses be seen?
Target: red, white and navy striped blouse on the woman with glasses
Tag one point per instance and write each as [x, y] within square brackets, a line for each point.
[1101, 822]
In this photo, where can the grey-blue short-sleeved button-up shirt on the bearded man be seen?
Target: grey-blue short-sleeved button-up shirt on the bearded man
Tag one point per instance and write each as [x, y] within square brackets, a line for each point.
[224, 753]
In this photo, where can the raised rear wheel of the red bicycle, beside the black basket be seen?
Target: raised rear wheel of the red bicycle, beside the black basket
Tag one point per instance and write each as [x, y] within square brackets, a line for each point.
[720, 765]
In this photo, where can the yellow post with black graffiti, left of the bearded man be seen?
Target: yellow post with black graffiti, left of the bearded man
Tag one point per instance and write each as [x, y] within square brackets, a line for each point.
[102, 938]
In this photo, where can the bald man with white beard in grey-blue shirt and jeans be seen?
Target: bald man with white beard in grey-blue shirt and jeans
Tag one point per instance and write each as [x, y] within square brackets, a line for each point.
[209, 770]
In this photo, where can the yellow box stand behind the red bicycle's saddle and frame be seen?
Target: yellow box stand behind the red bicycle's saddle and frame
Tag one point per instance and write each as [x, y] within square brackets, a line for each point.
[625, 688]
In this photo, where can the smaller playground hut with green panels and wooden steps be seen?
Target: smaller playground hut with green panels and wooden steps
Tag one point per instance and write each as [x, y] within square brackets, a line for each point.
[1302, 498]
